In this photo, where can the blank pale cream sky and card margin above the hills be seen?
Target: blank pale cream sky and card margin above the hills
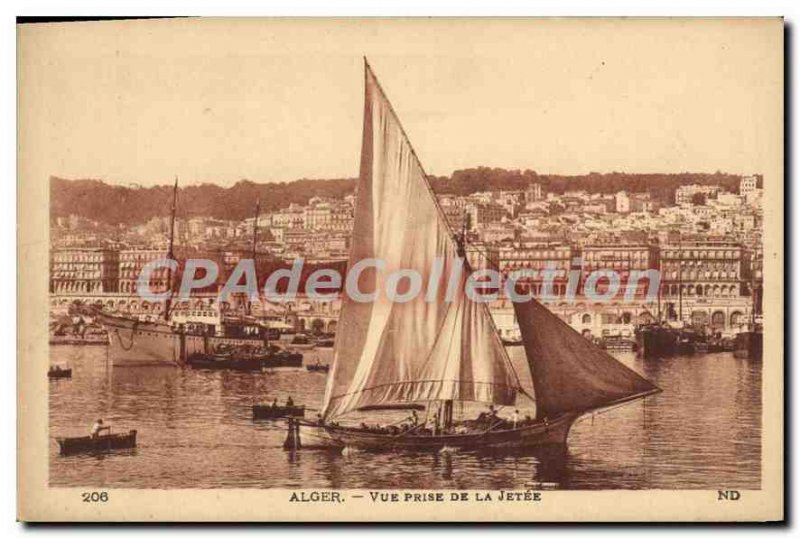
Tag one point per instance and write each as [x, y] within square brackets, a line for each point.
[209, 100]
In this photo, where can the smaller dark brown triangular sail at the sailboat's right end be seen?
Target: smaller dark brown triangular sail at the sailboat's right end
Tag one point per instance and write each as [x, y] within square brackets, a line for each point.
[569, 372]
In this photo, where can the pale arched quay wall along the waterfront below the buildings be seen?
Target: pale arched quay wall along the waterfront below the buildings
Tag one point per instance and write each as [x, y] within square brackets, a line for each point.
[723, 314]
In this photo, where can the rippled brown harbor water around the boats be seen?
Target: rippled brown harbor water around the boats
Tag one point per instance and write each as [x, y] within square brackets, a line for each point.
[195, 430]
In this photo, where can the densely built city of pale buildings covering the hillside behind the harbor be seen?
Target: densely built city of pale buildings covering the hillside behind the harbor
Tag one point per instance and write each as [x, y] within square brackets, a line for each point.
[706, 244]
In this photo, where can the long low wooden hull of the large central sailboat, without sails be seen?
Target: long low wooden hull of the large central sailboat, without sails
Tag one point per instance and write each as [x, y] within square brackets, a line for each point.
[553, 432]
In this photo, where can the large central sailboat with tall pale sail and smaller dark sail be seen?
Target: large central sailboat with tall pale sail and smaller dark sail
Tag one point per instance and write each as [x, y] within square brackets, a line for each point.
[436, 353]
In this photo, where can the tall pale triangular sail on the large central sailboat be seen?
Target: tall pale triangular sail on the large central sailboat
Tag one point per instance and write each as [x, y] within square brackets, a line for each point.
[426, 348]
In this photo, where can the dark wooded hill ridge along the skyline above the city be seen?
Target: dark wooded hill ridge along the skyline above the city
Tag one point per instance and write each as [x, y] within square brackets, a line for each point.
[110, 204]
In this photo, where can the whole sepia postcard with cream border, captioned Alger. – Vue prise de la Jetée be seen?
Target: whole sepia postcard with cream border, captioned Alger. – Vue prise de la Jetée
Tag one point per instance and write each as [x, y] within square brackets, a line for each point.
[357, 270]
